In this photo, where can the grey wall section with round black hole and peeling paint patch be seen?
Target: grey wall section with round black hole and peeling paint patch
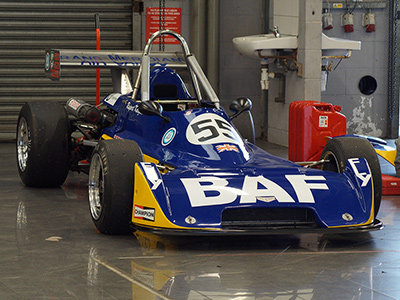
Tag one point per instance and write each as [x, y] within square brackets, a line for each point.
[366, 114]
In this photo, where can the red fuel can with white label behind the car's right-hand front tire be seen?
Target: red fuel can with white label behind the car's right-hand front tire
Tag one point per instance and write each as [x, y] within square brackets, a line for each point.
[310, 122]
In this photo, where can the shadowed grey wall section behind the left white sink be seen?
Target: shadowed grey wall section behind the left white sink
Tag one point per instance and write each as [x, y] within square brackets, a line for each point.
[239, 75]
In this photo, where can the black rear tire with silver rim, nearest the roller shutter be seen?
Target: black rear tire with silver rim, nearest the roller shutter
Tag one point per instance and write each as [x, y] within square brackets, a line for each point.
[43, 144]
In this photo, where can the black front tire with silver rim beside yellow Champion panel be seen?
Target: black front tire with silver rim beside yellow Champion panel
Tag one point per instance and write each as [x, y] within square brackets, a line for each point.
[111, 181]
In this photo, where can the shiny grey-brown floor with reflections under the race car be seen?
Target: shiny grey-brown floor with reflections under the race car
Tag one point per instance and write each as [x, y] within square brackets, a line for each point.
[49, 249]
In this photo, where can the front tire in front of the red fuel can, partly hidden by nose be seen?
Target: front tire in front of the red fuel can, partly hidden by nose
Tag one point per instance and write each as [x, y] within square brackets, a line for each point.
[339, 150]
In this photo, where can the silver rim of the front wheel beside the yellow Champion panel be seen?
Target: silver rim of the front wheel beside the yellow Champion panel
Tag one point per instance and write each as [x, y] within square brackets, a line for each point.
[96, 186]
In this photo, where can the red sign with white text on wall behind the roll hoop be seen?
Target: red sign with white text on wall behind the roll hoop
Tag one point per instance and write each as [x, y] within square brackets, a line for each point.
[171, 20]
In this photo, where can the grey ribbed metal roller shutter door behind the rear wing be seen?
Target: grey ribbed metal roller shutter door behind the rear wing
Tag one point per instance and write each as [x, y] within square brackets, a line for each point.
[28, 28]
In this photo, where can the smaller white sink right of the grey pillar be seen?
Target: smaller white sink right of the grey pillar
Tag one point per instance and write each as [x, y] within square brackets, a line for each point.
[338, 47]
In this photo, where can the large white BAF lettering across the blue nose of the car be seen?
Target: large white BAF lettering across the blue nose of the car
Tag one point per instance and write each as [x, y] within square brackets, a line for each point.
[211, 190]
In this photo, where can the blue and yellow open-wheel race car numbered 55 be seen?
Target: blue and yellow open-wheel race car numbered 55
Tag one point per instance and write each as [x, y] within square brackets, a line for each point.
[163, 156]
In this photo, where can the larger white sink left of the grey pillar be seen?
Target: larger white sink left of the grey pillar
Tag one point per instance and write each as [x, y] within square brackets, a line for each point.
[266, 43]
